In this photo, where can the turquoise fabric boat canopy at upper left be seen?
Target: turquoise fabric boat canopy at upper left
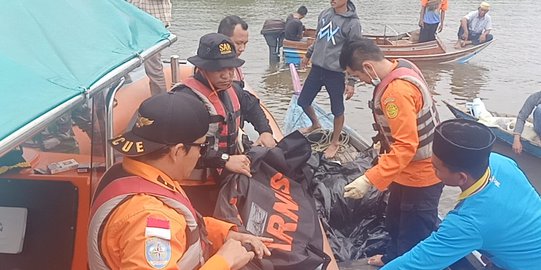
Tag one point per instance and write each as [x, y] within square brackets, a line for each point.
[55, 53]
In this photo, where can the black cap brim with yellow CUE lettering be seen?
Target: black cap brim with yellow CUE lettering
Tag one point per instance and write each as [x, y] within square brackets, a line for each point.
[132, 145]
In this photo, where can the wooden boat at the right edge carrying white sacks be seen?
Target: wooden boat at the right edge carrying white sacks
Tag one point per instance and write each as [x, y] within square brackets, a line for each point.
[529, 160]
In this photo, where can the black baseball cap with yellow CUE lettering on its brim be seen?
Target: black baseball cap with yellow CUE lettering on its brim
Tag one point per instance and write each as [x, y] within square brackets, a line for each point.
[164, 119]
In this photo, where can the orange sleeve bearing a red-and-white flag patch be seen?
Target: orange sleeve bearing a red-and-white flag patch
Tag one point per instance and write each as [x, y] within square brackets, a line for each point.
[127, 245]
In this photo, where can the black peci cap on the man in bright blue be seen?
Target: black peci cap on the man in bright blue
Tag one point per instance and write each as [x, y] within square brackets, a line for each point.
[463, 143]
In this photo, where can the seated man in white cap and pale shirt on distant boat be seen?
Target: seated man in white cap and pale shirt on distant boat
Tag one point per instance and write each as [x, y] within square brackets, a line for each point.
[475, 27]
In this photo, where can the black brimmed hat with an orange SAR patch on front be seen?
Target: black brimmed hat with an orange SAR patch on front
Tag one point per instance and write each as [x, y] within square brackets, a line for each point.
[216, 52]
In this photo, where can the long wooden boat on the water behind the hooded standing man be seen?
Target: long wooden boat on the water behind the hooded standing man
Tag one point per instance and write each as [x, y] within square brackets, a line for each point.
[403, 45]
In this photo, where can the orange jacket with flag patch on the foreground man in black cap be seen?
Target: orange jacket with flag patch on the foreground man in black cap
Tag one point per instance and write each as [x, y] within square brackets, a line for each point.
[123, 242]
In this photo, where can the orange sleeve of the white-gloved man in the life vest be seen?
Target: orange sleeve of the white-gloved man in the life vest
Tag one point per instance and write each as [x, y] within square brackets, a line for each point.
[400, 102]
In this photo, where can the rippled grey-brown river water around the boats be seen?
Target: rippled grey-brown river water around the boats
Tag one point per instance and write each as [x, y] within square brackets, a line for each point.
[503, 75]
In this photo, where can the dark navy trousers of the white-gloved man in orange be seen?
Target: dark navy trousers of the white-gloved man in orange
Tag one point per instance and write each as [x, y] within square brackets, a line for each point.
[412, 214]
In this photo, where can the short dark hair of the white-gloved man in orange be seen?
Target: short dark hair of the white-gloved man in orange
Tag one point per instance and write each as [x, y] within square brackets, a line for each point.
[356, 52]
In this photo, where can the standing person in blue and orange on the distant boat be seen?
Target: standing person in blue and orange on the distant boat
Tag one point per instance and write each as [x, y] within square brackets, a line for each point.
[431, 19]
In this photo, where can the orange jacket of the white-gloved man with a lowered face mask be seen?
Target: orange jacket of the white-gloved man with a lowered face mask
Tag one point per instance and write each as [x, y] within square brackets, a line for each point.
[397, 164]
